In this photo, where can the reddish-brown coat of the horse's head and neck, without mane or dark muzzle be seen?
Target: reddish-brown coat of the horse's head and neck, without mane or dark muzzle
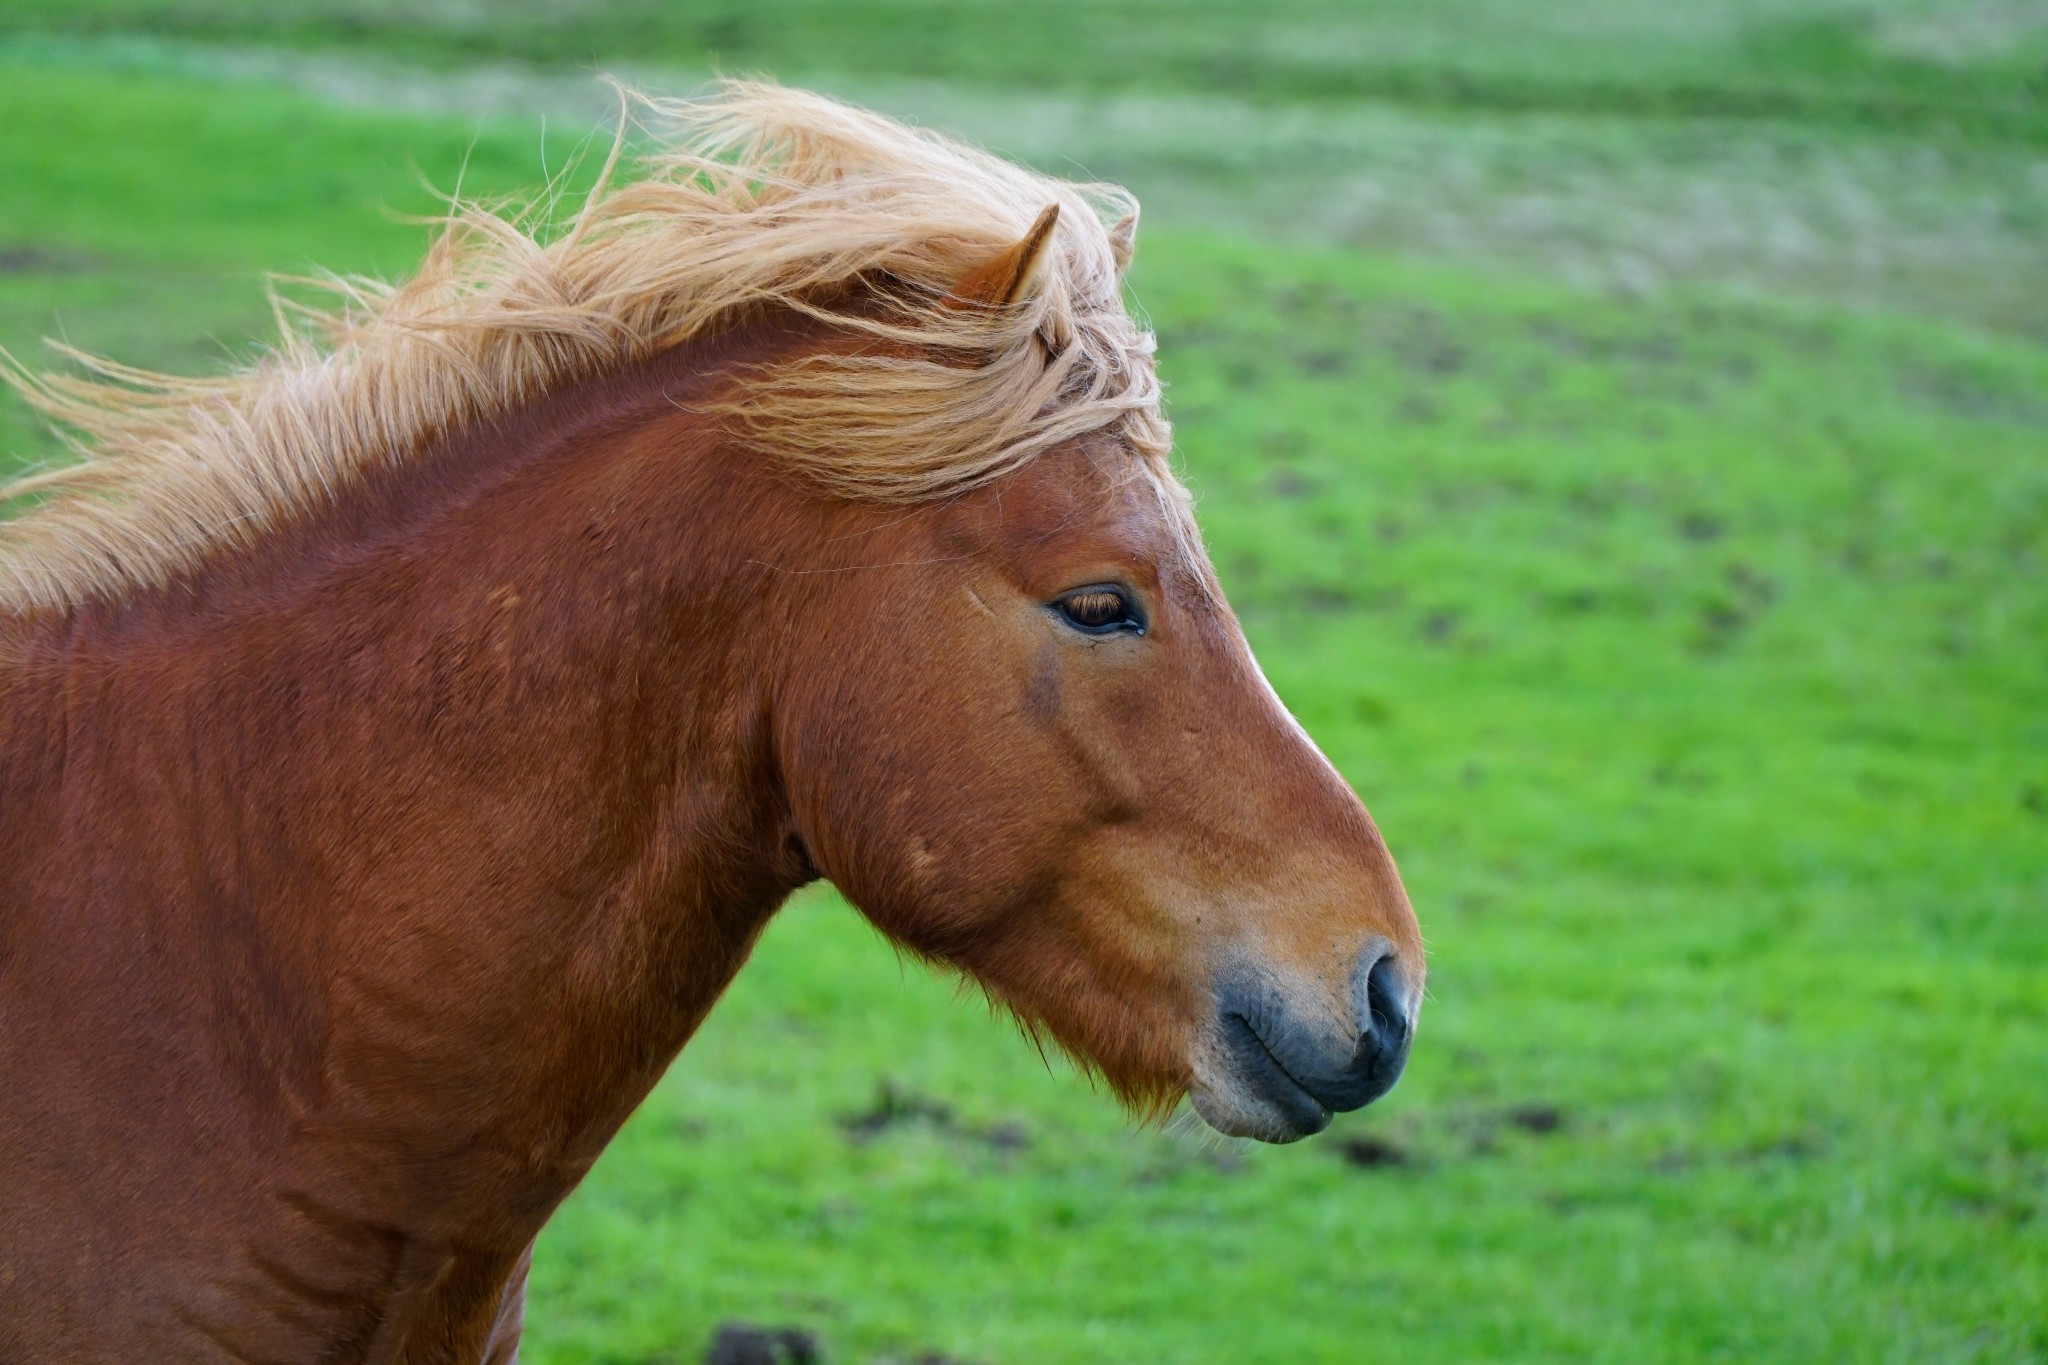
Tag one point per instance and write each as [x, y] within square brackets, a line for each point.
[359, 881]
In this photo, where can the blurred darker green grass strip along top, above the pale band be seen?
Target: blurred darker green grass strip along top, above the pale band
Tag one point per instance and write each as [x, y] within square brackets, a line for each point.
[1975, 67]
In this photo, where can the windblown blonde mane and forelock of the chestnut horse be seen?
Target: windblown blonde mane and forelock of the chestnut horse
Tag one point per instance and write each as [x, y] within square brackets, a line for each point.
[753, 197]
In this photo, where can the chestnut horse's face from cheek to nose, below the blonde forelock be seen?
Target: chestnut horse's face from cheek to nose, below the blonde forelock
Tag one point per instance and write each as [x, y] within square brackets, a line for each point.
[1027, 736]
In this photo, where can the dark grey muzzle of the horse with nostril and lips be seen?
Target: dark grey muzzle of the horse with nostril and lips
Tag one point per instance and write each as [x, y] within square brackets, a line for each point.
[1289, 1069]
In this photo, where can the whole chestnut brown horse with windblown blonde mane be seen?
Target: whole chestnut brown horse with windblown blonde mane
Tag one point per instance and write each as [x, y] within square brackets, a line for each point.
[404, 742]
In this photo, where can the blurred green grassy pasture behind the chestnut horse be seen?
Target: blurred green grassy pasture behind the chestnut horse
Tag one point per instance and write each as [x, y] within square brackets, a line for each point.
[1623, 429]
